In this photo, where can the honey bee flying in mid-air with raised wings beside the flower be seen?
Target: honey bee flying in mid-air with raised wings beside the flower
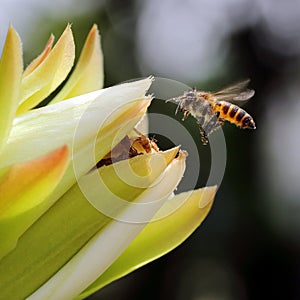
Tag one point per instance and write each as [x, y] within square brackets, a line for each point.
[211, 109]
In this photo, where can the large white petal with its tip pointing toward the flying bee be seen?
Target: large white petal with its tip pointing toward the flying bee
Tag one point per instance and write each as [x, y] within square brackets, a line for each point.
[41, 130]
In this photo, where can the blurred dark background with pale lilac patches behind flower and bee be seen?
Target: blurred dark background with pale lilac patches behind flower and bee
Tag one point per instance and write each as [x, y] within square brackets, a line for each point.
[249, 246]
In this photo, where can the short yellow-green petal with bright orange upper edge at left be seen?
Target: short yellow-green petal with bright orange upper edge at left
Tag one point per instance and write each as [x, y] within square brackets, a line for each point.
[23, 189]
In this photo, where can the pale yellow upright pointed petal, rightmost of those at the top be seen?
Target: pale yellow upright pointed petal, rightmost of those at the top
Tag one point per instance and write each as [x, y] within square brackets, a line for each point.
[88, 74]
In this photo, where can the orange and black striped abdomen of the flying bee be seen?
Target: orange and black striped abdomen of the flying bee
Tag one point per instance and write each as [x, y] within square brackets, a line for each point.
[234, 114]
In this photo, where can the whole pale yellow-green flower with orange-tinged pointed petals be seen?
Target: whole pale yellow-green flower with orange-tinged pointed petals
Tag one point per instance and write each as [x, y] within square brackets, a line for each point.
[75, 214]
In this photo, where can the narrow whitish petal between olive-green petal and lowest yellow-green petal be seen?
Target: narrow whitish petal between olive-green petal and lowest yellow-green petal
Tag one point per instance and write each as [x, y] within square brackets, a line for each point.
[109, 243]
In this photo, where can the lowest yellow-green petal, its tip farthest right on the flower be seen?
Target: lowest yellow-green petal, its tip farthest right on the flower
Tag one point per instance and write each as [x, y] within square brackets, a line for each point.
[161, 236]
